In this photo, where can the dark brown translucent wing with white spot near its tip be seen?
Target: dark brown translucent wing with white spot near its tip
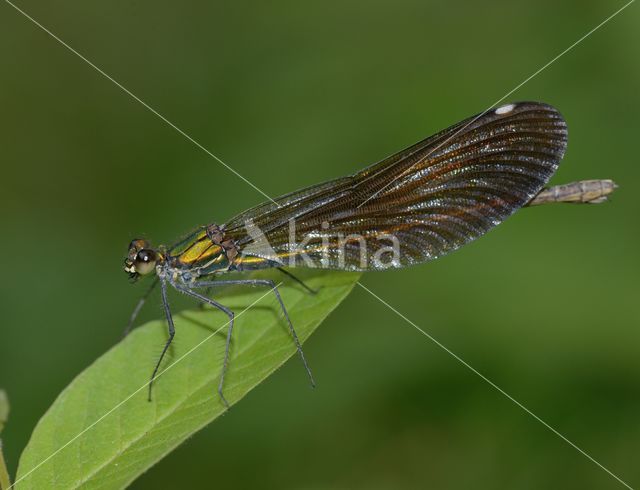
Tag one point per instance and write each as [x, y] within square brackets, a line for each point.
[427, 200]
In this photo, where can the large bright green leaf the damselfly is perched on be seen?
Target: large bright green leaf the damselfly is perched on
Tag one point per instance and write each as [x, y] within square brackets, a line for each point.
[124, 434]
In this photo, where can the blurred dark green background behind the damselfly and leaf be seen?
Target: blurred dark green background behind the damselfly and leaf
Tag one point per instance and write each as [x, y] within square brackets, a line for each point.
[289, 94]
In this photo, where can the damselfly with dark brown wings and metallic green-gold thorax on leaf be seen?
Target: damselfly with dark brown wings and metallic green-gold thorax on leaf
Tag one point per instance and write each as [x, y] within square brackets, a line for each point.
[414, 206]
